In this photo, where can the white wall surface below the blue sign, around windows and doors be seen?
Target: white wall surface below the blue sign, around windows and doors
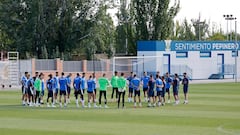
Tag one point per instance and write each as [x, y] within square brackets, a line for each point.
[202, 67]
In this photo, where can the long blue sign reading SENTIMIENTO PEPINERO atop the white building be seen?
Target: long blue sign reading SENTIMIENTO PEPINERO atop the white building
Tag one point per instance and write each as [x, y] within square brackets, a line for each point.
[185, 46]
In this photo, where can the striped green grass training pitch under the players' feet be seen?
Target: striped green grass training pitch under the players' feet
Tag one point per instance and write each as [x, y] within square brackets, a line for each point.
[213, 109]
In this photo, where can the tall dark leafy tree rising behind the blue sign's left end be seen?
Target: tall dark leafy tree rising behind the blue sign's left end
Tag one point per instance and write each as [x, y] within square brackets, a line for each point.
[154, 18]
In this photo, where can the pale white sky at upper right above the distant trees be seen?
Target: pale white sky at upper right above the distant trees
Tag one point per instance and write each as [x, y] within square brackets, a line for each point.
[211, 10]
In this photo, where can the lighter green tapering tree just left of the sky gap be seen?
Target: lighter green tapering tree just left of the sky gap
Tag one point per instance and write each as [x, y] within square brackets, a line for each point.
[100, 31]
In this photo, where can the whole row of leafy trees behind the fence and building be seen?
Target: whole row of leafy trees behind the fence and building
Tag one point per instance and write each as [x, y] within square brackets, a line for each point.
[78, 29]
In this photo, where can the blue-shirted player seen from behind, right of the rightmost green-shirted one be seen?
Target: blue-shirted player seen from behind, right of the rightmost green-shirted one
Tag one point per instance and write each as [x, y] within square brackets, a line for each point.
[136, 88]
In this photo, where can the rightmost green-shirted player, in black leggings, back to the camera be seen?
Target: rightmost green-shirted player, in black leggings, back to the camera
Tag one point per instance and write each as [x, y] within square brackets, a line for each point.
[122, 83]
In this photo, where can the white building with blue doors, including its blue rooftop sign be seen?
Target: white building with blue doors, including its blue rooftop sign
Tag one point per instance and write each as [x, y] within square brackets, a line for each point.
[200, 59]
